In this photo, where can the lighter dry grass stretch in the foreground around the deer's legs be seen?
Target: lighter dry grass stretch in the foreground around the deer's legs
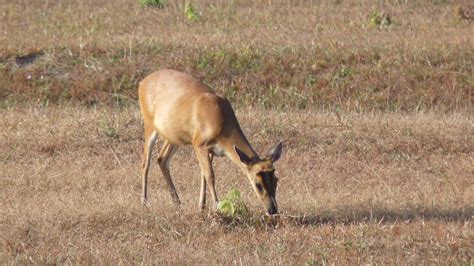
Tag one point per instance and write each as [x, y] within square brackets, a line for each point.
[355, 188]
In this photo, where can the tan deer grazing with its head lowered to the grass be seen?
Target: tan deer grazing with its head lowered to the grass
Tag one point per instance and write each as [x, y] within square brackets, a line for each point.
[182, 110]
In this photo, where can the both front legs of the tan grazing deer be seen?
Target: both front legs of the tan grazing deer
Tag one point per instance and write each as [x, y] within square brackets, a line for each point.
[207, 175]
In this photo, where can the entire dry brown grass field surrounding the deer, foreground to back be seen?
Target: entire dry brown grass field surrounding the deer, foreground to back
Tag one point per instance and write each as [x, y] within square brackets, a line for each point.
[377, 123]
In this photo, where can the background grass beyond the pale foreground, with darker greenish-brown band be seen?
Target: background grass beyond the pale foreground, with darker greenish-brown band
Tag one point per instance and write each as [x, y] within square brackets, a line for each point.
[309, 54]
